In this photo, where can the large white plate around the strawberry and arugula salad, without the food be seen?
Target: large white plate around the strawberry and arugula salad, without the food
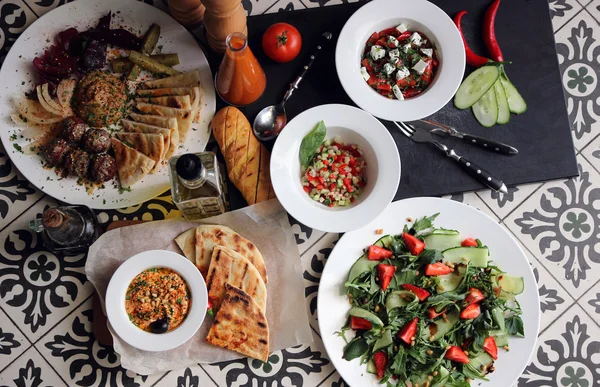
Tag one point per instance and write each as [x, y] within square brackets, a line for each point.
[332, 305]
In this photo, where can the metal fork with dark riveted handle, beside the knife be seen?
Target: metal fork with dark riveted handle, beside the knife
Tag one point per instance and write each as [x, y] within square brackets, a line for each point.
[471, 168]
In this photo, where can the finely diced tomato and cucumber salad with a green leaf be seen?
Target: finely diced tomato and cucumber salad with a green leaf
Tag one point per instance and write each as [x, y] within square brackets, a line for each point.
[332, 172]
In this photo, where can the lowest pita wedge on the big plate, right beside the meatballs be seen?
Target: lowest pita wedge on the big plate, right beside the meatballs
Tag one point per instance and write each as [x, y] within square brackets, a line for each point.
[132, 165]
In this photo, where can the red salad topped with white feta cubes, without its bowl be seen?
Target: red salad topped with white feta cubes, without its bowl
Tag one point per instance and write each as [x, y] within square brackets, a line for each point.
[398, 63]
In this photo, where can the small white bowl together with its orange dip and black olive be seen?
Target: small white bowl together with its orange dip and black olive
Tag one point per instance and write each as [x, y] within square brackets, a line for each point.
[156, 300]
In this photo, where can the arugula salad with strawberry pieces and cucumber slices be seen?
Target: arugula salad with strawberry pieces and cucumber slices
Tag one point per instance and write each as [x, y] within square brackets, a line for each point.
[430, 308]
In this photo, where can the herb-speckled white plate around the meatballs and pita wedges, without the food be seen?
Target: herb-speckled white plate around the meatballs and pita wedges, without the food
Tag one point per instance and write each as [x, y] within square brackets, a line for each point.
[17, 76]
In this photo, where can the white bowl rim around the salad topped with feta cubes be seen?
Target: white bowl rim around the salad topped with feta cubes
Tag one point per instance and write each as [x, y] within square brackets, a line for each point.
[418, 15]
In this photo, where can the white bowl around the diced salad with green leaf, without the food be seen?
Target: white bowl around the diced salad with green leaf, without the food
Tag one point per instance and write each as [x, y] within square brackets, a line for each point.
[354, 126]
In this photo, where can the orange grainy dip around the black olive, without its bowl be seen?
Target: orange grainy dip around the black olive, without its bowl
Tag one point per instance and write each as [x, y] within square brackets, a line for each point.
[155, 294]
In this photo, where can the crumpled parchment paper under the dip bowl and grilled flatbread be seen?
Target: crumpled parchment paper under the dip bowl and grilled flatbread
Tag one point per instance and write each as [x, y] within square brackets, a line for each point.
[266, 225]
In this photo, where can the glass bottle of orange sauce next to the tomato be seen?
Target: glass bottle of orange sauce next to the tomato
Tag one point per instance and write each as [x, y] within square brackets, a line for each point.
[241, 80]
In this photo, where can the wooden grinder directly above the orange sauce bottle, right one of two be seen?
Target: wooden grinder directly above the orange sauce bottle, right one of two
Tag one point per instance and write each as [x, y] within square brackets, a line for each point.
[222, 17]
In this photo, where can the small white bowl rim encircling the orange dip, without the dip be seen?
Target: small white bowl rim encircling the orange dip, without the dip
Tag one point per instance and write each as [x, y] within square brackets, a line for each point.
[117, 288]
